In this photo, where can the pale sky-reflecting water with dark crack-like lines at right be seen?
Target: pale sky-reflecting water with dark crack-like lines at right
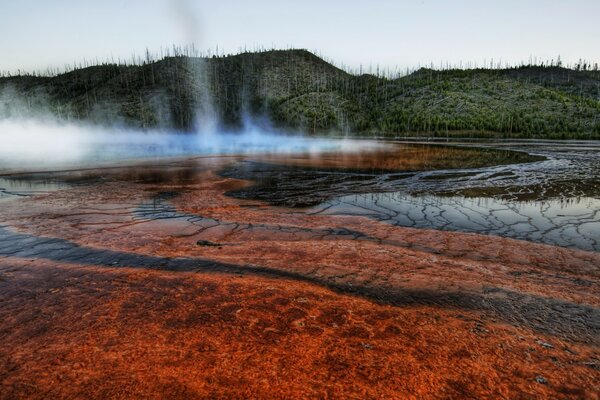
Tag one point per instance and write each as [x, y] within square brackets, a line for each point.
[573, 222]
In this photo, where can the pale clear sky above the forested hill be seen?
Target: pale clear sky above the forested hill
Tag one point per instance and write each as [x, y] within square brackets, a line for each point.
[35, 34]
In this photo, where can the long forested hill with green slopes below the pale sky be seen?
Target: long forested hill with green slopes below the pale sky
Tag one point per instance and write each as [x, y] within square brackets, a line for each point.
[296, 89]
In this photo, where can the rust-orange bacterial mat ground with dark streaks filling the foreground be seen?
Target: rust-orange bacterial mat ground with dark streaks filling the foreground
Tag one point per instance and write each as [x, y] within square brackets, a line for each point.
[290, 305]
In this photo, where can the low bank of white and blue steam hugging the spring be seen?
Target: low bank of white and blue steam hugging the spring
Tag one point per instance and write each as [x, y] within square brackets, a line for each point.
[35, 143]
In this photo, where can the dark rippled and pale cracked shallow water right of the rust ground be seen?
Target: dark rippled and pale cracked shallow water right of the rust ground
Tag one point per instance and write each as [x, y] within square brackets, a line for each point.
[553, 200]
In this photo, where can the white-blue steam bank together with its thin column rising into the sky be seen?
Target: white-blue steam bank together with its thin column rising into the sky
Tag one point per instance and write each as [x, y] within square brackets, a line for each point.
[33, 134]
